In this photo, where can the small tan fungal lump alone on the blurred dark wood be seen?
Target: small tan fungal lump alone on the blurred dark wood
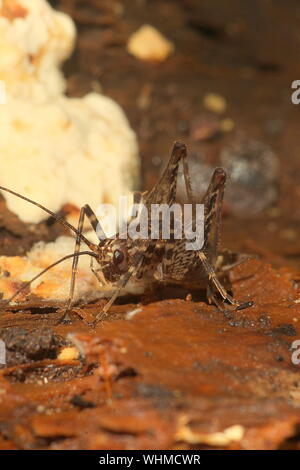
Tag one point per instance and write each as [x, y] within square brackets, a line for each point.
[147, 43]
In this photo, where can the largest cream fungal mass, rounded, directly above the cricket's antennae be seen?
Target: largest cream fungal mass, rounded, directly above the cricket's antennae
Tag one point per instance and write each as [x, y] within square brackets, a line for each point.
[66, 151]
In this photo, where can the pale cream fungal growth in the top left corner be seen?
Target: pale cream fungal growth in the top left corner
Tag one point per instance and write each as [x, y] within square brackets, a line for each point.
[34, 41]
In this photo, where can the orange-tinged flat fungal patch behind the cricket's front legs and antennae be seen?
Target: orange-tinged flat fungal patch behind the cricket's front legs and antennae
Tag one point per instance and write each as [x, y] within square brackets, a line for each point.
[54, 285]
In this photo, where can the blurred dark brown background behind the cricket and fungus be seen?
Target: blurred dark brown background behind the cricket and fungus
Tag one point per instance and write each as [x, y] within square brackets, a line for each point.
[247, 52]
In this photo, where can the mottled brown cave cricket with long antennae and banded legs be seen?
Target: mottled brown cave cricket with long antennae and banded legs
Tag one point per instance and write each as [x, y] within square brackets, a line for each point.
[120, 260]
